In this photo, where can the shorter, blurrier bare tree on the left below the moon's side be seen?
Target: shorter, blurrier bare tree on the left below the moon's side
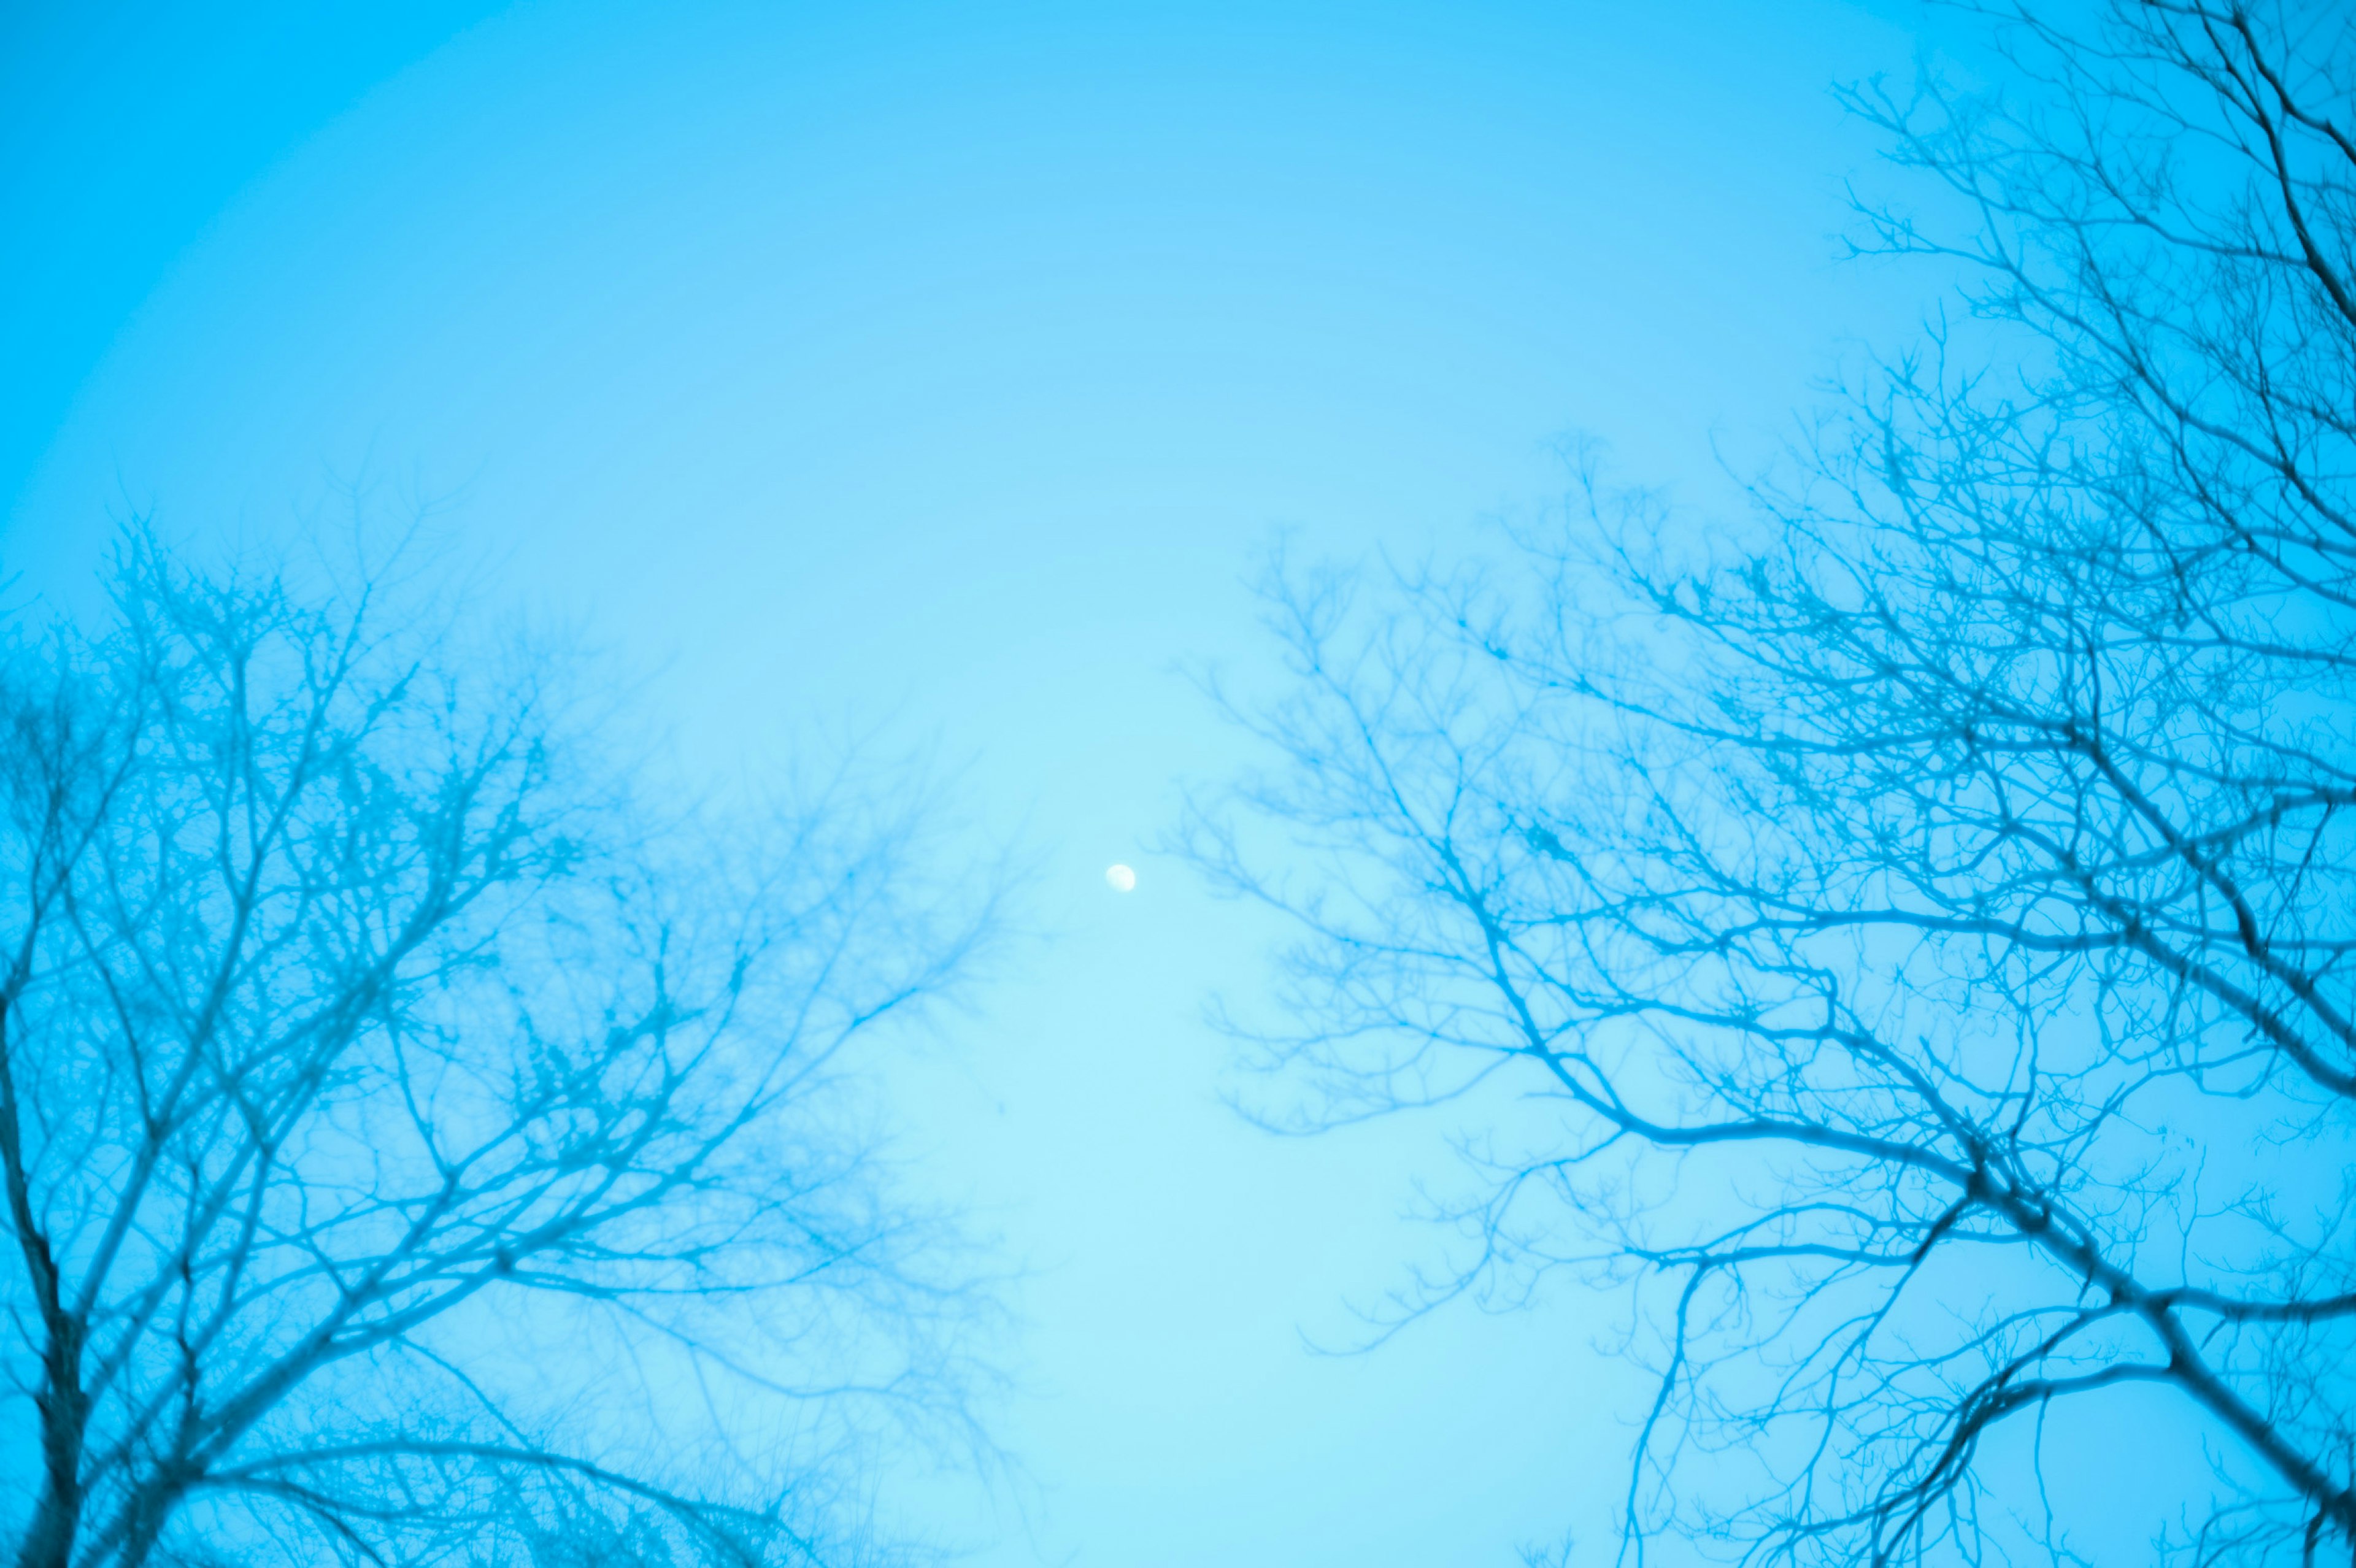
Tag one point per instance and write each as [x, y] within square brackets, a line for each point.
[413, 1148]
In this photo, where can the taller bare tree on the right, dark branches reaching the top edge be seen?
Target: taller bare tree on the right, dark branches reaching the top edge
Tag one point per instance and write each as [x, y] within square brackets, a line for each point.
[1919, 915]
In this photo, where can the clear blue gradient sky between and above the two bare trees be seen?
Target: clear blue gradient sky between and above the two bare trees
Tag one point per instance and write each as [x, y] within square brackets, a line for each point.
[939, 371]
